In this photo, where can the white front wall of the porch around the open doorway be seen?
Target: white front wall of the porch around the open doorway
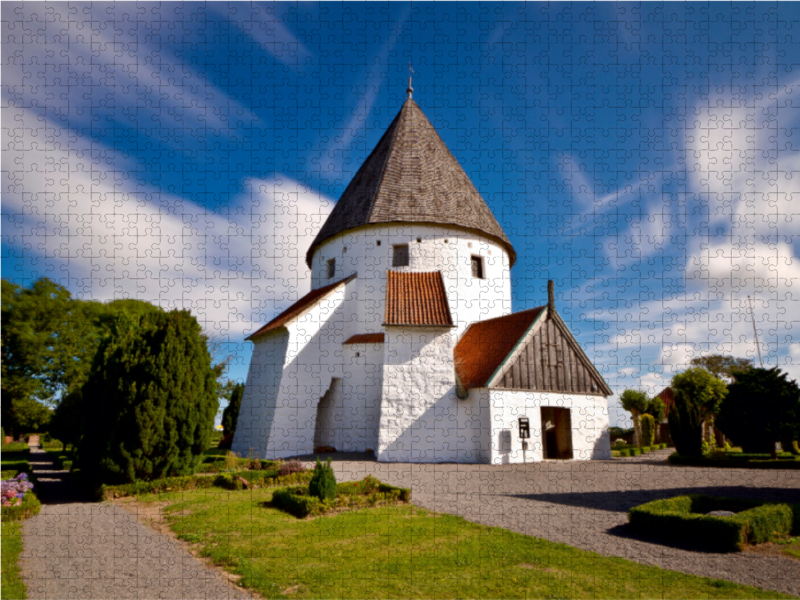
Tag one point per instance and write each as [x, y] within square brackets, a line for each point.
[588, 416]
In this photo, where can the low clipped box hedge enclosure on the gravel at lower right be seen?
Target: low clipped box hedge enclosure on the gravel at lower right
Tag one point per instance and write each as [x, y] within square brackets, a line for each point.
[686, 519]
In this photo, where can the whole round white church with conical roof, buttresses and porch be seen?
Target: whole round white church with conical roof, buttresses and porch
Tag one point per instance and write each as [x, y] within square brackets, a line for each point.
[406, 346]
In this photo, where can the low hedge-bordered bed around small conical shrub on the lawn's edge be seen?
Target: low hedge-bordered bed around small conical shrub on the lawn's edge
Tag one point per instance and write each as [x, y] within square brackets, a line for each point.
[349, 495]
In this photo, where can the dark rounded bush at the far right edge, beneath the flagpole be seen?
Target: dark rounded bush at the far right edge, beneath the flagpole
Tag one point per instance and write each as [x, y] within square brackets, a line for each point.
[761, 408]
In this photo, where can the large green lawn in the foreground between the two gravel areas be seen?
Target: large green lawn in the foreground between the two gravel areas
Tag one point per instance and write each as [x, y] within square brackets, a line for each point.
[407, 552]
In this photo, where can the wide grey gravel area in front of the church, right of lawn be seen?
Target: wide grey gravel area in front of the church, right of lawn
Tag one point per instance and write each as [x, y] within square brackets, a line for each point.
[585, 504]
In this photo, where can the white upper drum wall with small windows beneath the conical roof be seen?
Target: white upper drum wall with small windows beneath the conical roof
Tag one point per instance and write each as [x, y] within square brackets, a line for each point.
[440, 248]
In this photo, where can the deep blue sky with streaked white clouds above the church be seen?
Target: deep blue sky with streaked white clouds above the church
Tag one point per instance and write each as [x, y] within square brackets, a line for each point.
[645, 157]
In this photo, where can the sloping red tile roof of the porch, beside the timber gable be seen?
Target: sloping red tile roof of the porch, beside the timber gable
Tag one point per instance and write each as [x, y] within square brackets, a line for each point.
[486, 344]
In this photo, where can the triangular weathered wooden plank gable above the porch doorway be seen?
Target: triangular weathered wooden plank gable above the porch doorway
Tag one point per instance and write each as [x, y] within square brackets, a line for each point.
[549, 359]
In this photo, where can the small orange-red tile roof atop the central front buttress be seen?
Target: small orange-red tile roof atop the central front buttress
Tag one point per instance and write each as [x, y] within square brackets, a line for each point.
[416, 299]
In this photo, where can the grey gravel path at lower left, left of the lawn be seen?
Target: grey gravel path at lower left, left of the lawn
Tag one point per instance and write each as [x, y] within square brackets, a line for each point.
[76, 548]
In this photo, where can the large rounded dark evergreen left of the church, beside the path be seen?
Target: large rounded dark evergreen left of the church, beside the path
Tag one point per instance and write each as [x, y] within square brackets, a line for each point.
[149, 401]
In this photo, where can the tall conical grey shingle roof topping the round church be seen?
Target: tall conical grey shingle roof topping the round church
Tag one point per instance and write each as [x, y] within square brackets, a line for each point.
[411, 177]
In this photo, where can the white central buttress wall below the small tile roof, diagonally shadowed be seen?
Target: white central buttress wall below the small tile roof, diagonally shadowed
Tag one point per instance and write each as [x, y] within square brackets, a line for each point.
[421, 418]
